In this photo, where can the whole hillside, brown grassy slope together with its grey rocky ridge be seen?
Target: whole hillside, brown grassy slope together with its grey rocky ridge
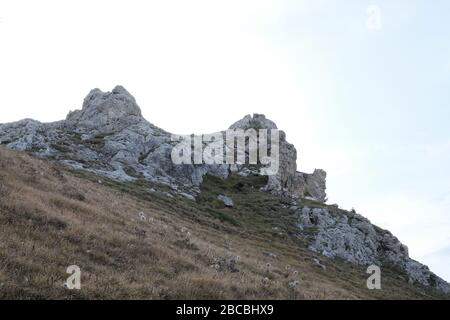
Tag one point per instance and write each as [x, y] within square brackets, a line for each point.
[221, 215]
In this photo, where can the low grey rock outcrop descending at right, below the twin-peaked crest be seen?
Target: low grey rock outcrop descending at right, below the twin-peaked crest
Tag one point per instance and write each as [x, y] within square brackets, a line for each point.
[353, 238]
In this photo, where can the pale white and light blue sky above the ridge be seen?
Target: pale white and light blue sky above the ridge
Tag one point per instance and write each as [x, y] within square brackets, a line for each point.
[361, 88]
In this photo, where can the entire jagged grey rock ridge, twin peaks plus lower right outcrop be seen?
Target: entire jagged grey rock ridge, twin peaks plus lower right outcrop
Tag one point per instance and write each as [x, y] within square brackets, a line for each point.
[109, 137]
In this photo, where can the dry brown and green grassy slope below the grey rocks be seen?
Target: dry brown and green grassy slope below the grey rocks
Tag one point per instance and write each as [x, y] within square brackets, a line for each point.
[51, 218]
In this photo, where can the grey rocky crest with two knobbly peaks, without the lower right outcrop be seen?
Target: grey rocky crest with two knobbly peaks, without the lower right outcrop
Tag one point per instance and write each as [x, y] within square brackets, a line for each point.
[110, 137]
